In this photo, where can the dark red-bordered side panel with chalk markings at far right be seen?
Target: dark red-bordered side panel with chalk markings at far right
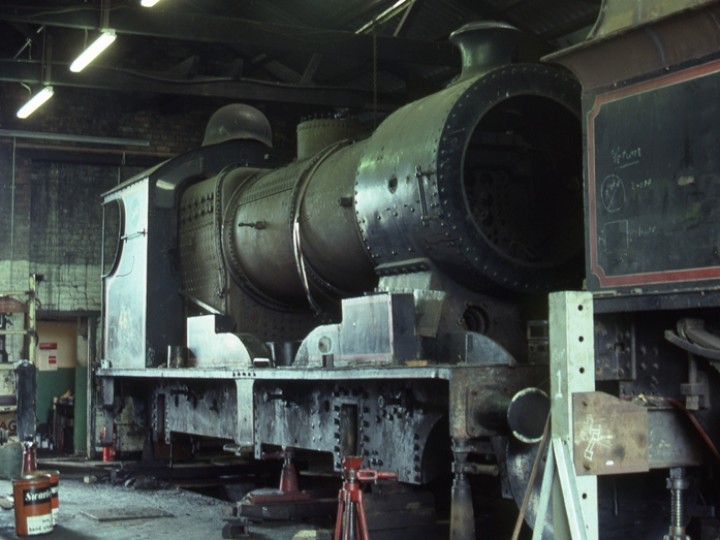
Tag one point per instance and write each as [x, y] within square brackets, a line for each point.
[653, 183]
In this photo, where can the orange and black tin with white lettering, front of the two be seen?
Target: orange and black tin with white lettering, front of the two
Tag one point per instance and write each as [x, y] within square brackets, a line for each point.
[32, 497]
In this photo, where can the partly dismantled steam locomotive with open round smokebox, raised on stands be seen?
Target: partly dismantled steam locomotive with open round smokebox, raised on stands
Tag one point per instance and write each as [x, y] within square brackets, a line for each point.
[381, 297]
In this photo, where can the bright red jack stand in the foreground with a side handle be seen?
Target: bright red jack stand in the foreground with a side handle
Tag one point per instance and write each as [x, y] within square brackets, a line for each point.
[351, 522]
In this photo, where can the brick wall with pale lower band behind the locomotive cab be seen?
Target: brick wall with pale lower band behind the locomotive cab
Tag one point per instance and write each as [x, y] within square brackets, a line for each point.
[50, 190]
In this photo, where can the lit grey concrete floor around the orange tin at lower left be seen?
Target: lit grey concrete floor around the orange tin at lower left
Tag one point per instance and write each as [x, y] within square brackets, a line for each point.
[178, 514]
